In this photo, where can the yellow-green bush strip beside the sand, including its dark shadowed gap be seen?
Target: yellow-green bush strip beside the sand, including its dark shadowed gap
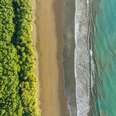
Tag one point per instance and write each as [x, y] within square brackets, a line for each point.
[23, 43]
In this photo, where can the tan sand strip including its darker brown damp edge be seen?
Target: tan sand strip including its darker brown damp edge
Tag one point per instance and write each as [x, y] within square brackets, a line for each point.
[48, 20]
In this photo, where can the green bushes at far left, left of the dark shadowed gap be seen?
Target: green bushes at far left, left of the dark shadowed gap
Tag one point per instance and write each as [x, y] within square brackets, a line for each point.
[9, 67]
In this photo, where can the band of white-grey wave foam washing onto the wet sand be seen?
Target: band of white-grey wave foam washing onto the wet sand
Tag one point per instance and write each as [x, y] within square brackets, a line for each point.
[82, 57]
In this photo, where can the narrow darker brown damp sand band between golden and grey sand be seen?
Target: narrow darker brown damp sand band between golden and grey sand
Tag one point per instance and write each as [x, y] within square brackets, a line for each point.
[59, 18]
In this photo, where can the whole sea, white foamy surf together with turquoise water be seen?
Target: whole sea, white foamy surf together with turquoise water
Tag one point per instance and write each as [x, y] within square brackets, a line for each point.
[96, 86]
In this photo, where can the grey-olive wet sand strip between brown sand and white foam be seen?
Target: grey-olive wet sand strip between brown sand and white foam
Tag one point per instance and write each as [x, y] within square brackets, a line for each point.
[68, 55]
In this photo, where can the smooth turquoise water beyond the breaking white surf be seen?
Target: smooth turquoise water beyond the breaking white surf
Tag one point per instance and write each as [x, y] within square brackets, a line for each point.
[105, 58]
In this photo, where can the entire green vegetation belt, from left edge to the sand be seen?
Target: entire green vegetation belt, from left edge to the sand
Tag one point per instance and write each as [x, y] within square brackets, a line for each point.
[18, 82]
